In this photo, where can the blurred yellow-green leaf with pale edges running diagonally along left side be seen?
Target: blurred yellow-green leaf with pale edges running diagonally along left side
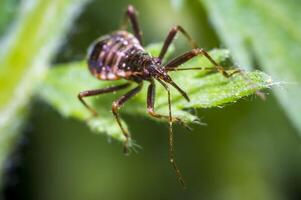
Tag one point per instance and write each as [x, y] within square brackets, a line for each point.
[24, 56]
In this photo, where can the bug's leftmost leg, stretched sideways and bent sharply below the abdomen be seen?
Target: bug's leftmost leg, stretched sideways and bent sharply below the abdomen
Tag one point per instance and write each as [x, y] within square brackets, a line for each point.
[89, 93]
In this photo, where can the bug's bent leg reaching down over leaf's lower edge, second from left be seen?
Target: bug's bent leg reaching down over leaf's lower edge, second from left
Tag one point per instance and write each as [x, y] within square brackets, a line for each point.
[115, 107]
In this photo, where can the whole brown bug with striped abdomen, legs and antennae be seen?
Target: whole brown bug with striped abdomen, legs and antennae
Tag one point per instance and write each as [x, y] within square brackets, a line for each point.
[121, 55]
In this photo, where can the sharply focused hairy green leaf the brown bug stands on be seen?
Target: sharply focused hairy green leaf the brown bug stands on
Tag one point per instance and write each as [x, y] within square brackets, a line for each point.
[65, 81]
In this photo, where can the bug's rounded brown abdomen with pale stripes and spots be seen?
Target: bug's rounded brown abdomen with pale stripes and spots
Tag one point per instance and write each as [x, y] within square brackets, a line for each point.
[116, 56]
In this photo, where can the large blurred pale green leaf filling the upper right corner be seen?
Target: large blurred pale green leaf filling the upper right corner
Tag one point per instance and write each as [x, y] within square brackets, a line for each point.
[269, 32]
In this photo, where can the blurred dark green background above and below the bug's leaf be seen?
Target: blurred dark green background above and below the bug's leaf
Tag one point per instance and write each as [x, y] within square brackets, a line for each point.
[248, 150]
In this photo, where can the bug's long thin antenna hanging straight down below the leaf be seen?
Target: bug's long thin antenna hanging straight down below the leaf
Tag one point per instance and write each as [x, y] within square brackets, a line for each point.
[171, 148]
